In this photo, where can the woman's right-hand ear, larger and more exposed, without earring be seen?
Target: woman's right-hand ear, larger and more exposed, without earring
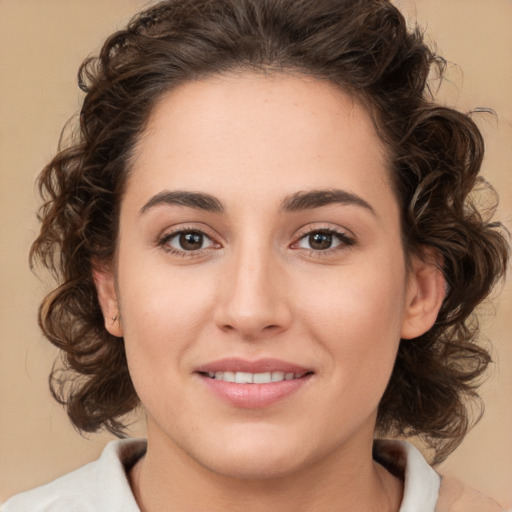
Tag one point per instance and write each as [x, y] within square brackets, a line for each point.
[426, 290]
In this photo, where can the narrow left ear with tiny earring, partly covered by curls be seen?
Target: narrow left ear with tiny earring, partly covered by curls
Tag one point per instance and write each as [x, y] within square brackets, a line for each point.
[107, 296]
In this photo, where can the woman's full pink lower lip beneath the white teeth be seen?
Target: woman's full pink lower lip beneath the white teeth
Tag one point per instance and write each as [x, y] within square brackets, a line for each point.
[254, 396]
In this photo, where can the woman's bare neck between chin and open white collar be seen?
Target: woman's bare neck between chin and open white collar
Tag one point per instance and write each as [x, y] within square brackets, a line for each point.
[351, 481]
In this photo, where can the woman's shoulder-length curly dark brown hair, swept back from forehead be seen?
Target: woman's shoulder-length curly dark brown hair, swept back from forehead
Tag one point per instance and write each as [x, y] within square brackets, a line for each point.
[362, 46]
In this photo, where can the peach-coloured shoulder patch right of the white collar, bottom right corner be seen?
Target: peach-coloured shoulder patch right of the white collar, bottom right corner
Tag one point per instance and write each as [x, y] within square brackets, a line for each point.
[455, 497]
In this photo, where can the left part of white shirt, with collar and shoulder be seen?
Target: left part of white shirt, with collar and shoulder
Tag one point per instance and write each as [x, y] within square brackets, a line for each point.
[100, 485]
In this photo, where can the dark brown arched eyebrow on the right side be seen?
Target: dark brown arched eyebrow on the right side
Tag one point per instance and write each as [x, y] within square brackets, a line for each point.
[318, 198]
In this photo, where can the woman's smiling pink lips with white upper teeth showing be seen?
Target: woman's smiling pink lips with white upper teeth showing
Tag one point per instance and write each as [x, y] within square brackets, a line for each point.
[253, 384]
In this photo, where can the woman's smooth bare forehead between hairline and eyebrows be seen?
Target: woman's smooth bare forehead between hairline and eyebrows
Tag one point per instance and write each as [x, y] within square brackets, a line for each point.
[269, 134]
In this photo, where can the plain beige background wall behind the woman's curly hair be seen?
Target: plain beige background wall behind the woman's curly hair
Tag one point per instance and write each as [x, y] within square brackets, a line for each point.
[42, 43]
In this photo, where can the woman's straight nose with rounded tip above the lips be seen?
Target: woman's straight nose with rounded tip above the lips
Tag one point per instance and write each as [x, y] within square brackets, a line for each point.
[253, 297]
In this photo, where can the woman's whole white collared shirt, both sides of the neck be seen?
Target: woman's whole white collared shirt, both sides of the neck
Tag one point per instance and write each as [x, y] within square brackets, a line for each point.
[102, 486]
